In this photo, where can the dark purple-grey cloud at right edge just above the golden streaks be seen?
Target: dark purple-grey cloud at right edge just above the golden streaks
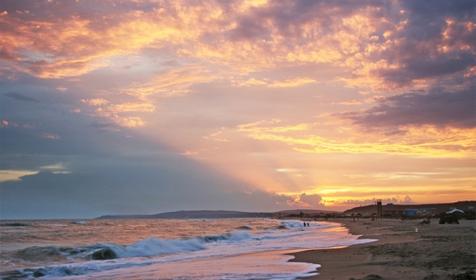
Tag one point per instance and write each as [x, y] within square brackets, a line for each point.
[440, 108]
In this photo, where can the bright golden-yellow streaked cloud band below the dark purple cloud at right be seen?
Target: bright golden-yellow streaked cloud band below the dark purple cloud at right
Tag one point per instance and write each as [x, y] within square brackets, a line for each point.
[421, 141]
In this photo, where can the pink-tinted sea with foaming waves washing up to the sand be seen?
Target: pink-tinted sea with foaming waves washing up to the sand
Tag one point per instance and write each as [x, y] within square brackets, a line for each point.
[238, 248]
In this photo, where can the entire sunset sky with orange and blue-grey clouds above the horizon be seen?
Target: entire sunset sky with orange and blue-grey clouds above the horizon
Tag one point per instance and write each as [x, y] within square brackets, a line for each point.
[116, 107]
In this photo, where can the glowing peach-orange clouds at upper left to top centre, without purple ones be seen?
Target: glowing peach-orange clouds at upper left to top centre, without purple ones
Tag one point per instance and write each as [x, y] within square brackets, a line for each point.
[73, 47]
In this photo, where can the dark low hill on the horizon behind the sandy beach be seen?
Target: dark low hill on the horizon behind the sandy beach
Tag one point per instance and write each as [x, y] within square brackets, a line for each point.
[397, 209]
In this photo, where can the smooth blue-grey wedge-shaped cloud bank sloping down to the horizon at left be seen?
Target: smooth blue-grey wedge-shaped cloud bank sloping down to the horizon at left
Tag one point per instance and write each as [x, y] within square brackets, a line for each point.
[91, 171]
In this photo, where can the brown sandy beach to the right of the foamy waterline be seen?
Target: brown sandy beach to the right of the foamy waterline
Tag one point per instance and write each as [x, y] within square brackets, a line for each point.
[404, 250]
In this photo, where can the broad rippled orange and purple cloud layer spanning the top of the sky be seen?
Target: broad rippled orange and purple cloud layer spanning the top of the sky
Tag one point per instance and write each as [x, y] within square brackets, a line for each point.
[378, 46]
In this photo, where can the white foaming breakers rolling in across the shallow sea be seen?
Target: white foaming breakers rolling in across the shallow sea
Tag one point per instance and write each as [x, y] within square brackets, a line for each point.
[108, 256]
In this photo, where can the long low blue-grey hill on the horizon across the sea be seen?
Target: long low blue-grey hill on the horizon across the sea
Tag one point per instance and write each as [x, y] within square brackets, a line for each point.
[194, 214]
